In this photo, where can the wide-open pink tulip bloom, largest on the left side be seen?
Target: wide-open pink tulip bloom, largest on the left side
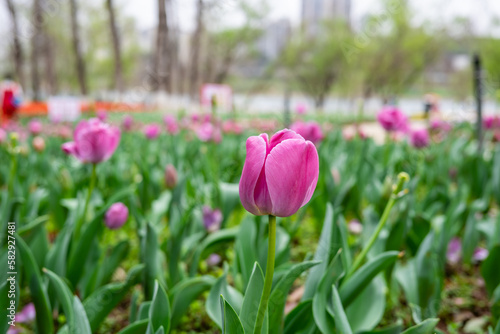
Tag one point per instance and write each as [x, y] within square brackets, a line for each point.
[94, 141]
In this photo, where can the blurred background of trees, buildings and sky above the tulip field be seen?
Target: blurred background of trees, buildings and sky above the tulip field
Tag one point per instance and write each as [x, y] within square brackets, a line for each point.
[328, 55]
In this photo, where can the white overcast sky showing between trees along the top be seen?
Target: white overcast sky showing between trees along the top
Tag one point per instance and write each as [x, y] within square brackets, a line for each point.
[479, 11]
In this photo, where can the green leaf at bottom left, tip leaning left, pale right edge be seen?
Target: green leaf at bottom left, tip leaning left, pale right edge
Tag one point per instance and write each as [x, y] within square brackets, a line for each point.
[76, 317]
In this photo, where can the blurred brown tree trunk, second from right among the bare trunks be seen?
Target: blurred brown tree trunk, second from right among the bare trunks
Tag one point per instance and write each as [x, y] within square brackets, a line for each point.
[161, 75]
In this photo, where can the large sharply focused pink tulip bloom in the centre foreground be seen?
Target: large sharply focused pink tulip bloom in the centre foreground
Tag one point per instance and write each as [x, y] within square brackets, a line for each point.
[280, 175]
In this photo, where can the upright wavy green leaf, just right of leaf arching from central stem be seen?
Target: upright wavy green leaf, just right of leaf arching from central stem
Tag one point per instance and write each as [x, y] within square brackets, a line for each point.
[323, 320]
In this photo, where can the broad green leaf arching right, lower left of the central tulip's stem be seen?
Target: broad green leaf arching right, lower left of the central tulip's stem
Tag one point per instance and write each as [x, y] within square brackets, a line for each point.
[185, 292]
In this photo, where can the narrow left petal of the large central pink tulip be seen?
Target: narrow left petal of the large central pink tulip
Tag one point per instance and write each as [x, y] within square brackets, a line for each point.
[257, 147]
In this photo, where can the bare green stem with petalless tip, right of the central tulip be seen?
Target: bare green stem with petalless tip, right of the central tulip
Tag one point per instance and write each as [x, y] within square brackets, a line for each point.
[396, 193]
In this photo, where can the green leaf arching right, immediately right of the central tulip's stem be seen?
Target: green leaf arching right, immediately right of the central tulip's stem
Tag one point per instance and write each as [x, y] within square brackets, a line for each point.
[280, 293]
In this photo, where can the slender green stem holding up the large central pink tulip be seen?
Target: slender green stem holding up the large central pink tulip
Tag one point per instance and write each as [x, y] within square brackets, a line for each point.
[268, 281]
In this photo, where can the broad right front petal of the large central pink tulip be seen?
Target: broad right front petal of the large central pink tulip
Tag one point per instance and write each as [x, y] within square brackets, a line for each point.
[292, 169]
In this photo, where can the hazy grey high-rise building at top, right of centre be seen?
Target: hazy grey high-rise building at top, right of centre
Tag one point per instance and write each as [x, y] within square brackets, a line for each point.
[316, 11]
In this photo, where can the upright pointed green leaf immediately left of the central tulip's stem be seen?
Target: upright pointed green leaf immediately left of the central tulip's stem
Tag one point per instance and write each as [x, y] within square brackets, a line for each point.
[251, 301]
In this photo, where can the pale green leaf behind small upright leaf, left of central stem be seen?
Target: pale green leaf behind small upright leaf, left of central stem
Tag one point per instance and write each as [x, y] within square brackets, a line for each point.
[221, 287]
